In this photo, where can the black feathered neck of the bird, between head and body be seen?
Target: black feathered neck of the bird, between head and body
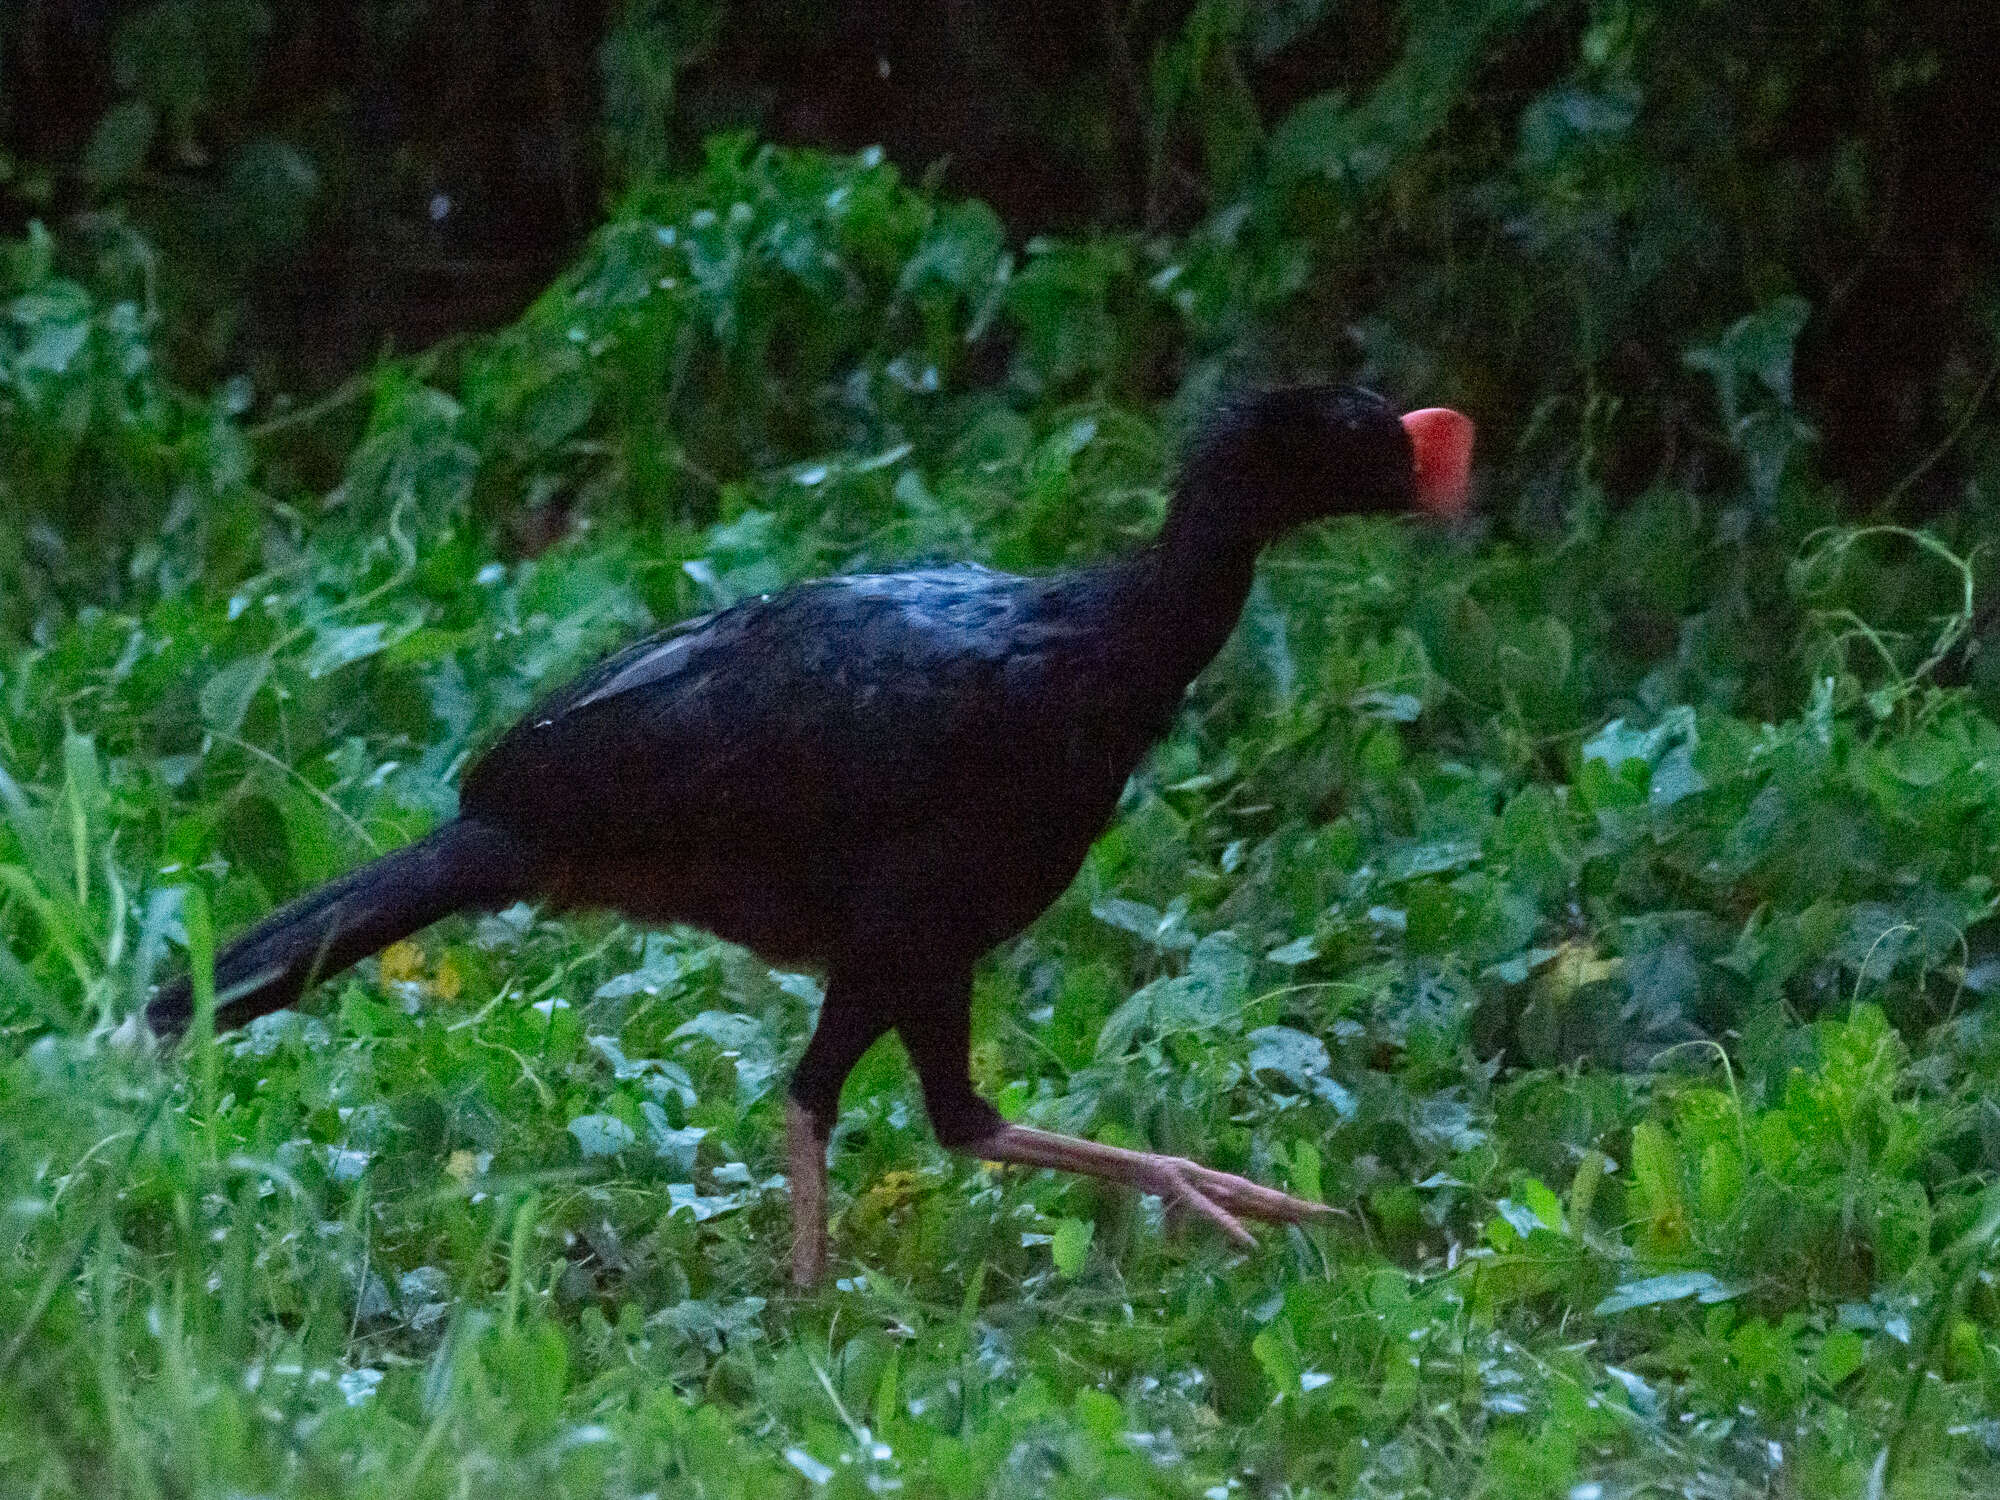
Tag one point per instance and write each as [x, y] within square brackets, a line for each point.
[1185, 595]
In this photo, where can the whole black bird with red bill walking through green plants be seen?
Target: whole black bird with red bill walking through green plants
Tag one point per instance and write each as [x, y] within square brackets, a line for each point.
[881, 777]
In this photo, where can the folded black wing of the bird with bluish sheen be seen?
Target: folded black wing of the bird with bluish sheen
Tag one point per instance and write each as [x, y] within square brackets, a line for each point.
[843, 705]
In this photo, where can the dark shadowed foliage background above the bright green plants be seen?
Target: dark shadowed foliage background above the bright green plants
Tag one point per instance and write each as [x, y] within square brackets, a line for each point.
[327, 181]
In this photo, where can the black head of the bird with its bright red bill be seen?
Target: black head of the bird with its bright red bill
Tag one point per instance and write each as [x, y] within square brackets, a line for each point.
[1279, 459]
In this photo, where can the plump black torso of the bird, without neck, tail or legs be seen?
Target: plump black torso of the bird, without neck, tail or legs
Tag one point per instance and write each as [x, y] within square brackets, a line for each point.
[827, 769]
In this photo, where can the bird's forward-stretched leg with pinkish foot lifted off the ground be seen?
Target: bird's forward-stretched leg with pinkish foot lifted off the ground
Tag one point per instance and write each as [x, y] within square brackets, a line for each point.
[939, 1039]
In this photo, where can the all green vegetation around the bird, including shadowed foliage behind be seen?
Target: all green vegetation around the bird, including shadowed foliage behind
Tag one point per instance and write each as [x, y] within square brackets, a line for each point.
[1595, 903]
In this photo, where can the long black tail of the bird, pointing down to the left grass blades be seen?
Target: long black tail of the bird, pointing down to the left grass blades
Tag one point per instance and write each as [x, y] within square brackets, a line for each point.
[463, 865]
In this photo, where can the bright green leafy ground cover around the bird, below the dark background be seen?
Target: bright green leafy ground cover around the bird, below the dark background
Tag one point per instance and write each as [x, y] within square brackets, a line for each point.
[1597, 915]
